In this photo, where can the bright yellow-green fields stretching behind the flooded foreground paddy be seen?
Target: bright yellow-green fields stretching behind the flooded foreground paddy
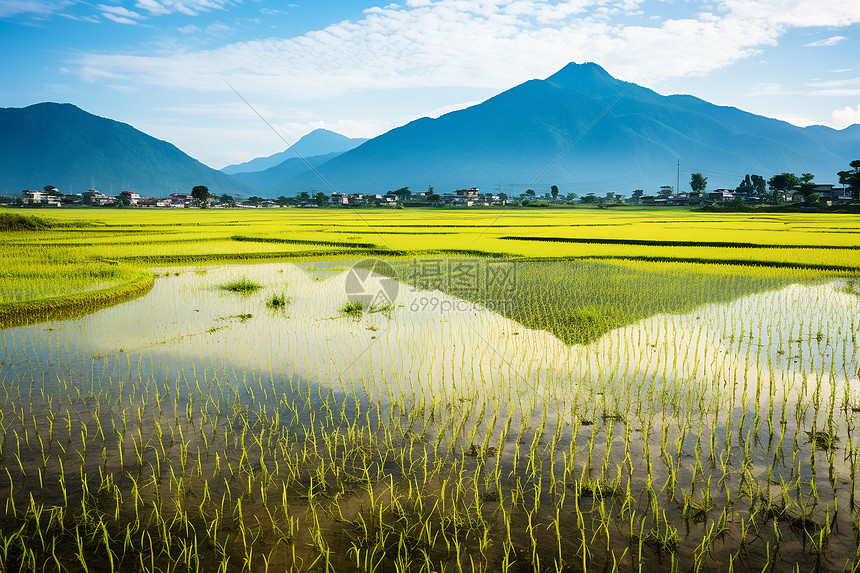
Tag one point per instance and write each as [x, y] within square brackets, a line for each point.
[86, 258]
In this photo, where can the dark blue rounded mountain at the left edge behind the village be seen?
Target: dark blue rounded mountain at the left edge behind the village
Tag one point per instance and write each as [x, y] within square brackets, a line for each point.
[62, 145]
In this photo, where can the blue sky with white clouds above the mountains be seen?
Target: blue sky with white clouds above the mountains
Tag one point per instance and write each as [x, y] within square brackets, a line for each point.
[361, 68]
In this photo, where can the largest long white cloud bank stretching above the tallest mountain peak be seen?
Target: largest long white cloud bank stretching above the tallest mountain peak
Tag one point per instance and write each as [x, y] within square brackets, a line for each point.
[455, 43]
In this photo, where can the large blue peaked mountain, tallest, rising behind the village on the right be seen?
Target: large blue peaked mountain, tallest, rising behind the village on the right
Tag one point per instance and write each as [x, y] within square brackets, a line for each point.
[537, 134]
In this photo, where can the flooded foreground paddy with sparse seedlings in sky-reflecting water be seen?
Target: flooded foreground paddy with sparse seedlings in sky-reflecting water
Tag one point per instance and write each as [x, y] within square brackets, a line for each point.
[278, 429]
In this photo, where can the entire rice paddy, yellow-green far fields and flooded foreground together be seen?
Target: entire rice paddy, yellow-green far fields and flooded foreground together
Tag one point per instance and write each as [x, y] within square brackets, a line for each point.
[429, 391]
